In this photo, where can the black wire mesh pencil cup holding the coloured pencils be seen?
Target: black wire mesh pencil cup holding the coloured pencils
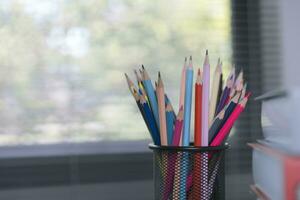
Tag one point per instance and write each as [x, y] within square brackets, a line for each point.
[189, 172]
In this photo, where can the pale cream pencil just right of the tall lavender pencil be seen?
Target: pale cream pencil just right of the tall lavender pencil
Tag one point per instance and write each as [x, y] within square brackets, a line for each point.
[215, 91]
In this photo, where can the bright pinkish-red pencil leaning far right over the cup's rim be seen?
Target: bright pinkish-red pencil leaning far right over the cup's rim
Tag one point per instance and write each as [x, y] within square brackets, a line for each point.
[219, 139]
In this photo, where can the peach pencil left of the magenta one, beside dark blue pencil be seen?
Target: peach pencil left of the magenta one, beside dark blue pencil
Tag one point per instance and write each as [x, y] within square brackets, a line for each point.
[162, 111]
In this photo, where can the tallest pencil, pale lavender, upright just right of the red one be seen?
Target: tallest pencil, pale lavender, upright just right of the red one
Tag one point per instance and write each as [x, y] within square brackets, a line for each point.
[205, 100]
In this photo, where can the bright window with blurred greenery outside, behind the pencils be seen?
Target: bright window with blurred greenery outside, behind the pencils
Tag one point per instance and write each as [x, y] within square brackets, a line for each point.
[62, 63]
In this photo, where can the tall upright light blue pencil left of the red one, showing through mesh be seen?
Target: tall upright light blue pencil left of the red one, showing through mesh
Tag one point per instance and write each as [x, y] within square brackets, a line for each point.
[186, 126]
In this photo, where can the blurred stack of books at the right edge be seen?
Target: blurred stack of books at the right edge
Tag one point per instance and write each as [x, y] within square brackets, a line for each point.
[276, 158]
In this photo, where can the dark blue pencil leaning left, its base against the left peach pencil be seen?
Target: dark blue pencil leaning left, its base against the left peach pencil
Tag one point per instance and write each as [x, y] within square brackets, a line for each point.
[150, 121]
